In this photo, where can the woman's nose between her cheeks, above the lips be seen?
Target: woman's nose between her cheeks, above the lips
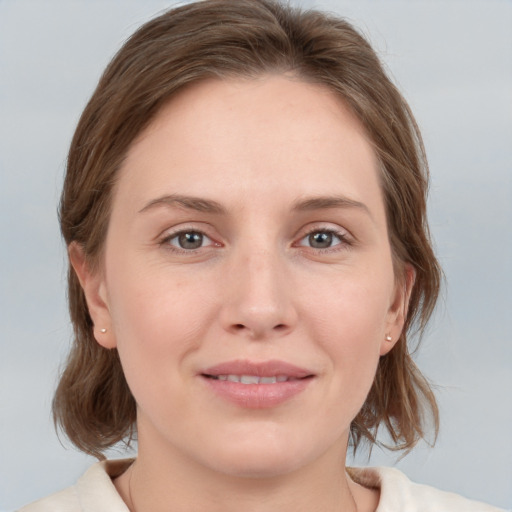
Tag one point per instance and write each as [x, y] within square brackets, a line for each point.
[258, 297]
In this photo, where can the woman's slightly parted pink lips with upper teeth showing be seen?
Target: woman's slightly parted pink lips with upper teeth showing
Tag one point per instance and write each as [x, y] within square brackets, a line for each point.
[257, 385]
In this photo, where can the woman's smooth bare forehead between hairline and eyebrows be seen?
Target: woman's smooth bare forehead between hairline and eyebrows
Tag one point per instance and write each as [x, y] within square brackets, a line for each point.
[253, 138]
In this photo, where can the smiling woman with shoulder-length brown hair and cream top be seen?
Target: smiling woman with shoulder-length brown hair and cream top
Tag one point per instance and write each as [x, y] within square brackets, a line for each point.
[244, 209]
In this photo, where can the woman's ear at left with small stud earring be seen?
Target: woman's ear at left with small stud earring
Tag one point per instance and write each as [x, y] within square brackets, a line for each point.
[93, 285]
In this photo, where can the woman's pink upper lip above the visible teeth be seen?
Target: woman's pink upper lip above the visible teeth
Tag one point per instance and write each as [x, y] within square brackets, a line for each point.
[269, 368]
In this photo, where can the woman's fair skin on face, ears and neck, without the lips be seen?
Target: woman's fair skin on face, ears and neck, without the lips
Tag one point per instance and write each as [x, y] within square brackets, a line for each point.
[257, 288]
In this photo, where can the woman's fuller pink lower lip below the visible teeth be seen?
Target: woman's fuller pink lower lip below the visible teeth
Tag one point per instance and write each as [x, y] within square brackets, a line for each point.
[258, 396]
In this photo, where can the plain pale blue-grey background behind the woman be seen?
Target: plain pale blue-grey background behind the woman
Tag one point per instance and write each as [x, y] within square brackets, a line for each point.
[452, 59]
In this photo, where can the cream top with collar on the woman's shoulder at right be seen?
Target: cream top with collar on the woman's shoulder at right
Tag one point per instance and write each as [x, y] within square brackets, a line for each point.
[399, 494]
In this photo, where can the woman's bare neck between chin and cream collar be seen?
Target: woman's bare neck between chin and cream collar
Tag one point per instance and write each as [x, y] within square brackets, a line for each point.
[162, 482]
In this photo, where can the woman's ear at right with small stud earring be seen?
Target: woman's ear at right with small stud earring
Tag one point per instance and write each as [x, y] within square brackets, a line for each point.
[398, 310]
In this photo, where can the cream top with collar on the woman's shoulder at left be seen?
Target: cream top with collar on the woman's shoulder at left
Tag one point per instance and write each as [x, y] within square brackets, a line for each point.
[93, 492]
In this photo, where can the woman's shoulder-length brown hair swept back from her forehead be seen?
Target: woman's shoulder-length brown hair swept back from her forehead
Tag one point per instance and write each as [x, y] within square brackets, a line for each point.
[223, 38]
